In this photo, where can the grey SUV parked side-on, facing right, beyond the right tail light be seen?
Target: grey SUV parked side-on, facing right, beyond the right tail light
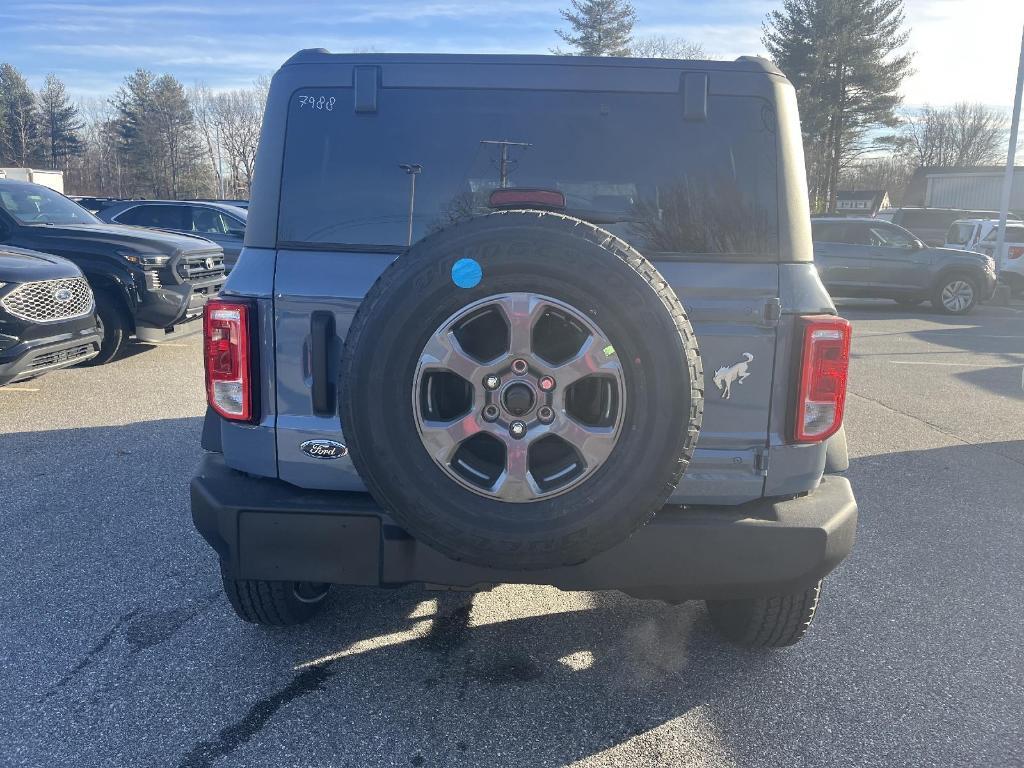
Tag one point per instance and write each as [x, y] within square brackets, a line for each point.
[869, 259]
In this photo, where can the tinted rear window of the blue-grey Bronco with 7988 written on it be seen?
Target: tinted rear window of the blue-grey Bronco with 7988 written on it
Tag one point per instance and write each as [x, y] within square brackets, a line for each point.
[626, 161]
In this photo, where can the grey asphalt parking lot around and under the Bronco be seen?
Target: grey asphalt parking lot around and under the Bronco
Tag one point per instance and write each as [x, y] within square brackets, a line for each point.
[117, 648]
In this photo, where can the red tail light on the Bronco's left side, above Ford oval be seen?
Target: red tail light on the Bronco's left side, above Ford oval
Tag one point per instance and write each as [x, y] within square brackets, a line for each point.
[226, 352]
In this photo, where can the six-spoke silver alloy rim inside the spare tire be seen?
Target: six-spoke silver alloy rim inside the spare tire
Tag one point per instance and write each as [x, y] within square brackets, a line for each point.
[520, 397]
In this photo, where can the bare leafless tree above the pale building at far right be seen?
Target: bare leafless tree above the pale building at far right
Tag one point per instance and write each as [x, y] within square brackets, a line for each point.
[965, 135]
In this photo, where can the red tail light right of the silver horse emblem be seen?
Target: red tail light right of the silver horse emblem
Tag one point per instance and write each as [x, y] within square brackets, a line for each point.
[824, 370]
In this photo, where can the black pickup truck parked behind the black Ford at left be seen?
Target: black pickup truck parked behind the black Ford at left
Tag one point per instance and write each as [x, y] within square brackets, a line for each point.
[146, 283]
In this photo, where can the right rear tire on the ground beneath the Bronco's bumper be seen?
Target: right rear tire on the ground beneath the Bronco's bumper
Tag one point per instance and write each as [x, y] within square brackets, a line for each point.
[766, 622]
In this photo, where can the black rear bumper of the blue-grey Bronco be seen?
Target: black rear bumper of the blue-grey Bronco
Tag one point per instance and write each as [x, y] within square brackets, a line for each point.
[266, 529]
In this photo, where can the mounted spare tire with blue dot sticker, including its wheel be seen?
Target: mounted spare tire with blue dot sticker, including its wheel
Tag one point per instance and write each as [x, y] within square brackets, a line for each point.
[522, 391]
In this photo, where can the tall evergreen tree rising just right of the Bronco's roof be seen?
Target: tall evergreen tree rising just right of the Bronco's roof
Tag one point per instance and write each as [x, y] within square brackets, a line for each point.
[845, 60]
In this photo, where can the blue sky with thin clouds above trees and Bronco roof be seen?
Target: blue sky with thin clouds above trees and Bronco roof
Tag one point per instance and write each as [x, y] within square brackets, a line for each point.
[965, 50]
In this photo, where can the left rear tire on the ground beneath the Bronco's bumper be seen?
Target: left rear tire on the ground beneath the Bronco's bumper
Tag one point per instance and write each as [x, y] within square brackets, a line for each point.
[274, 604]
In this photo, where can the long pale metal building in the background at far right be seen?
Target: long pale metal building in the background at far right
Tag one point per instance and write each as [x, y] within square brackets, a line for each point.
[974, 188]
